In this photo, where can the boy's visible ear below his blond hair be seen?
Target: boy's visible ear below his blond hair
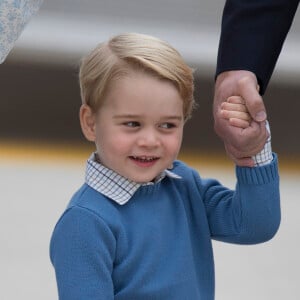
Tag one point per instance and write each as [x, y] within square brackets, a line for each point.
[88, 122]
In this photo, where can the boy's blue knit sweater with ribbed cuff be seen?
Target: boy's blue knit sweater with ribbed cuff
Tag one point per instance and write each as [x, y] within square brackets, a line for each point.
[158, 245]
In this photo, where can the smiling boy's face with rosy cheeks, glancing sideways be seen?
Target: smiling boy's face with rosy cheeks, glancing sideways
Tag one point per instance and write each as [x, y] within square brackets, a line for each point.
[139, 127]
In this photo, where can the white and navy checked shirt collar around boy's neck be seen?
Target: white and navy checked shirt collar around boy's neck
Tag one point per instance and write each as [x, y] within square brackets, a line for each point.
[112, 184]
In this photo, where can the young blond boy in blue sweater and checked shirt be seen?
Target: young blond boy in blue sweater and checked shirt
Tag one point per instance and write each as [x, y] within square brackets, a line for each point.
[141, 225]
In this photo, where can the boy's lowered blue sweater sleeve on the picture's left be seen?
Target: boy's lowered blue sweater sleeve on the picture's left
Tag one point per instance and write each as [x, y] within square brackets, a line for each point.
[82, 250]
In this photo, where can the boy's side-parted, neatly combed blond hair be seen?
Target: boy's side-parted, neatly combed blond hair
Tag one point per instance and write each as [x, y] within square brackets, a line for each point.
[129, 52]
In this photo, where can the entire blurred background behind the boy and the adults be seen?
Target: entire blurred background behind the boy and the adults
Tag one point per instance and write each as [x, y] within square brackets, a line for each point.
[42, 150]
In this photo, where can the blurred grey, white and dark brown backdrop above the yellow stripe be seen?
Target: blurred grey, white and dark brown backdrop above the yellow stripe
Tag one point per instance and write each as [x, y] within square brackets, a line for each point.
[39, 86]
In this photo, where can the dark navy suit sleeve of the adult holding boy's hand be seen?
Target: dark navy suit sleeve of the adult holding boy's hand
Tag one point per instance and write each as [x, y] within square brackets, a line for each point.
[252, 36]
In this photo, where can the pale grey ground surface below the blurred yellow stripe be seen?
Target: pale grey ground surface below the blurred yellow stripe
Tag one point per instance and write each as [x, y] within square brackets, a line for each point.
[35, 192]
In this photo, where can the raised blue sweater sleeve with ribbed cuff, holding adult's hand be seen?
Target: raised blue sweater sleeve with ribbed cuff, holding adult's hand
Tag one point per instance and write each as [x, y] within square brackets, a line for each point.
[251, 213]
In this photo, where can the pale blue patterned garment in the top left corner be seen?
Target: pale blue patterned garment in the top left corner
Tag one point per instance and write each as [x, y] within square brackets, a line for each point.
[14, 15]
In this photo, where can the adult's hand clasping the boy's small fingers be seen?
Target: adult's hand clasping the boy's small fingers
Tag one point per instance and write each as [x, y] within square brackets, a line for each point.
[240, 144]
